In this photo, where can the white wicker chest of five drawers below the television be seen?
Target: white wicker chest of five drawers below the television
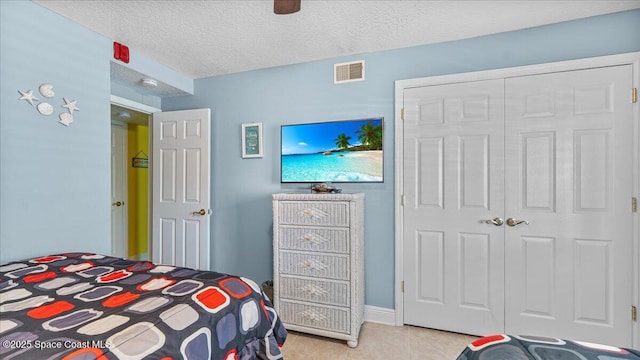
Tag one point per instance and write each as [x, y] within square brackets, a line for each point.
[318, 260]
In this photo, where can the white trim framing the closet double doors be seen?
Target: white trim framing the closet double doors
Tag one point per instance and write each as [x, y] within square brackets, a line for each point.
[401, 85]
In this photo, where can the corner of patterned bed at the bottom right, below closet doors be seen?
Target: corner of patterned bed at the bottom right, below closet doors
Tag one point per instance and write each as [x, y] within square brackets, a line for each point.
[509, 347]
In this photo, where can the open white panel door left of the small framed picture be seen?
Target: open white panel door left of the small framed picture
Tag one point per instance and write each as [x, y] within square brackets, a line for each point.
[181, 187]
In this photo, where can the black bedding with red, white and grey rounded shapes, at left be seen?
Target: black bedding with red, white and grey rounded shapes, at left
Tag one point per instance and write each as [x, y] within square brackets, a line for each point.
[87, 306]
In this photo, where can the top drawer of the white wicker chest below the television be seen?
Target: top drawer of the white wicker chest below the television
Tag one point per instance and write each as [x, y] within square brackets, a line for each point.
[314, 213]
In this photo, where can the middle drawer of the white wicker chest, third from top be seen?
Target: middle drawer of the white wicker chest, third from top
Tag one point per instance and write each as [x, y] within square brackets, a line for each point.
[314, 265]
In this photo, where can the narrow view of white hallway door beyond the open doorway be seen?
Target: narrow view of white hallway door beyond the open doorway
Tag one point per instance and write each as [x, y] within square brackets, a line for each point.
[119, 236]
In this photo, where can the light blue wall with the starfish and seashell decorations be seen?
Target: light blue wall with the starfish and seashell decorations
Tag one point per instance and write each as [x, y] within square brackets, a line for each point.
[54, 180]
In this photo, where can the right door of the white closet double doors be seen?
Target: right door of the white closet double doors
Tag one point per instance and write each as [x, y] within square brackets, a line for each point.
[569, 174]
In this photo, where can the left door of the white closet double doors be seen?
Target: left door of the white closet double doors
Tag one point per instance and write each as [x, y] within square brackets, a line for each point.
[453, 171]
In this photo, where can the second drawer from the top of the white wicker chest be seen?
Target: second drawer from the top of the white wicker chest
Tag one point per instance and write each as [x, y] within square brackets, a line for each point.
[314, 239]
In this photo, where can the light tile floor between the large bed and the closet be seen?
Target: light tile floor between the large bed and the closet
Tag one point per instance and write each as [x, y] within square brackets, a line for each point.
[379, 341]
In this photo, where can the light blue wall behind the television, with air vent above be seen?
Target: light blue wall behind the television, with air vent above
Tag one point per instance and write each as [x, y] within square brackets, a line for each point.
[241, 233]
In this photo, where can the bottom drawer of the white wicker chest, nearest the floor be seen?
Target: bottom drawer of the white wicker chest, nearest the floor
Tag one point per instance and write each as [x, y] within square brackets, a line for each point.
[315, 316]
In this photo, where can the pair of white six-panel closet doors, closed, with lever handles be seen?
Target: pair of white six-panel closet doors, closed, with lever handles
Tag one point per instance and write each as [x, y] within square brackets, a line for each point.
[516, 215]
